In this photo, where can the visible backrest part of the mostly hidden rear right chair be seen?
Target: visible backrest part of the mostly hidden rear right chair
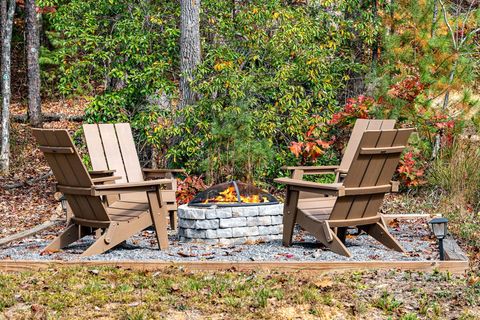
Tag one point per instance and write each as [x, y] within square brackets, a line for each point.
[361, 125]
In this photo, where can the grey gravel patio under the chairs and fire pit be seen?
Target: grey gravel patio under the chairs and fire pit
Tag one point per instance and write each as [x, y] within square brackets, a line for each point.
[413, 234]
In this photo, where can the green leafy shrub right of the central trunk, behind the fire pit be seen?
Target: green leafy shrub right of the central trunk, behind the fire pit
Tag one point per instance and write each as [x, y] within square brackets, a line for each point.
[270, 73]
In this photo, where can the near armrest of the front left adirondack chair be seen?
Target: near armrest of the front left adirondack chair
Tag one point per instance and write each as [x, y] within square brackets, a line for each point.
[119, 188]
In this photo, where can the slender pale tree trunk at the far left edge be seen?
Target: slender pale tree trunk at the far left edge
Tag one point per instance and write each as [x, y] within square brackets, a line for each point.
[6, 90]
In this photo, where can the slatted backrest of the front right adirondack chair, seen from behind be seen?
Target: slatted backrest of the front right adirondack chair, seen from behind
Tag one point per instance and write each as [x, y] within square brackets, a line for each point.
[374, 164]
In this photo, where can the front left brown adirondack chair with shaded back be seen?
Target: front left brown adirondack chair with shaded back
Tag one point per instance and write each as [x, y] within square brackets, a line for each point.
[111, 224]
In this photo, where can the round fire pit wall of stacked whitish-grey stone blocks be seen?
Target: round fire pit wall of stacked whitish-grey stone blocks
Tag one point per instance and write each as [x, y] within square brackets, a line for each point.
[230, 225]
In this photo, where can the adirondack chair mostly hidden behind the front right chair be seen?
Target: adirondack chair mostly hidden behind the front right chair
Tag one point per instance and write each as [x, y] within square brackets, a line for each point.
[340, 171]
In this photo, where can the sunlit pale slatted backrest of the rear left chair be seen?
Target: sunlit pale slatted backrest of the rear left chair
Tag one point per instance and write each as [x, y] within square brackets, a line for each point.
[111, 147]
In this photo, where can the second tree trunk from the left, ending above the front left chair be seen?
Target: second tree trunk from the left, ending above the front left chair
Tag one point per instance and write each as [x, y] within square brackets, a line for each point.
[33, 66]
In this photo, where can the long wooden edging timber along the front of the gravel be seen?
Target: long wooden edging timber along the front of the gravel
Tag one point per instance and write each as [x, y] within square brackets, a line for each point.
[455, 267]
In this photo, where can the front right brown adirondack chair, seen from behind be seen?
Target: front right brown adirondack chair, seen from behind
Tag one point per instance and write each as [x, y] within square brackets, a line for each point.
[355, 202]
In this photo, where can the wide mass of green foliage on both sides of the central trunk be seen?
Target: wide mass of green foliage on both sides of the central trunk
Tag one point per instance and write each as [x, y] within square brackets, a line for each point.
[270, 70]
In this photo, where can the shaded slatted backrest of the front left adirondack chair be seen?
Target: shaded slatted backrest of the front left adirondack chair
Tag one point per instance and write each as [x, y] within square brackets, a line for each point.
[69, 170]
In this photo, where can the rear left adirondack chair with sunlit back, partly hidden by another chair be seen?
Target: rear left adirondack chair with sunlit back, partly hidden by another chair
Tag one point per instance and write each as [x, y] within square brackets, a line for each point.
[111, 147]
